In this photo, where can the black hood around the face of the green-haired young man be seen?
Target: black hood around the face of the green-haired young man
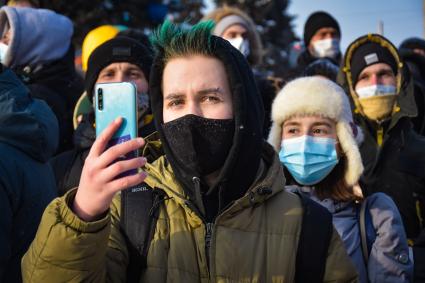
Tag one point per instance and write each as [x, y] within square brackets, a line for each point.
[239, 169]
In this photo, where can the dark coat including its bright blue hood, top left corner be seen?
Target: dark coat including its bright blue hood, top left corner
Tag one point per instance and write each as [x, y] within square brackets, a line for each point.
[40, 52]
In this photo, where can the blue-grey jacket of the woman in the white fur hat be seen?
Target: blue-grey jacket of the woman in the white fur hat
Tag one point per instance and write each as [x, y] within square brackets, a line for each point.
[389, 254]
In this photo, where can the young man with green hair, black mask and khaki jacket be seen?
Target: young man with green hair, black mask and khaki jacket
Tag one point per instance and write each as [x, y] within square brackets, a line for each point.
[222, 214]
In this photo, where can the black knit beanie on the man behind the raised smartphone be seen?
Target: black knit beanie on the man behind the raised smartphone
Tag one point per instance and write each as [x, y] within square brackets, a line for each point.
[118, 49]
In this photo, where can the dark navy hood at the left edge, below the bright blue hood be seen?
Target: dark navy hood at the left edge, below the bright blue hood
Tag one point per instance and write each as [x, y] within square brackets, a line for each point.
[25, 123]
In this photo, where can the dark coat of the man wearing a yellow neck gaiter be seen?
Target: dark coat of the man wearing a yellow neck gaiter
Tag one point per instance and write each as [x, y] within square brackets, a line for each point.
[397, 167]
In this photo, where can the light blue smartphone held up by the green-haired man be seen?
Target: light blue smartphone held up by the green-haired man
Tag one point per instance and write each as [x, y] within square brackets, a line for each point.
[113, 100]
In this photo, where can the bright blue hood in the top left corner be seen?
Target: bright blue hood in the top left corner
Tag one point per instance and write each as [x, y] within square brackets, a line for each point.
[37, 35]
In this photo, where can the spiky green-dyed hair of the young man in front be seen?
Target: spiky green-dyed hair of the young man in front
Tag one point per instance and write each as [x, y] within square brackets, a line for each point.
[171, 40]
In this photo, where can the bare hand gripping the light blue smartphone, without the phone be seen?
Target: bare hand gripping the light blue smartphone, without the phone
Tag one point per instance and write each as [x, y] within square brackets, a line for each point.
[100, 176]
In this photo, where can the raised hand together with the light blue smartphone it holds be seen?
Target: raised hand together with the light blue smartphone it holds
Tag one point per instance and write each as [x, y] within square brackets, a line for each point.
[112, 163]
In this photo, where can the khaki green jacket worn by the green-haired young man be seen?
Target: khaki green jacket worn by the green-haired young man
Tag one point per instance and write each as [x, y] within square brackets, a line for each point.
[254, 240]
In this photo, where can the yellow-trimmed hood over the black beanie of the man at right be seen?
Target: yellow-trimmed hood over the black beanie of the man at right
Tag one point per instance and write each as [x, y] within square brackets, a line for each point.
[405, 104]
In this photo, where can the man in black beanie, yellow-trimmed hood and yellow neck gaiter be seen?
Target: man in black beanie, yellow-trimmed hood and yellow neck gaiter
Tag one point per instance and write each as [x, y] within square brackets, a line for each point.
[382, 97]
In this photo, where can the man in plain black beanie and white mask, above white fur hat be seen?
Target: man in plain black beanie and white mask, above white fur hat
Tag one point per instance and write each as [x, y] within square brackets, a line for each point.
[322, 36]
